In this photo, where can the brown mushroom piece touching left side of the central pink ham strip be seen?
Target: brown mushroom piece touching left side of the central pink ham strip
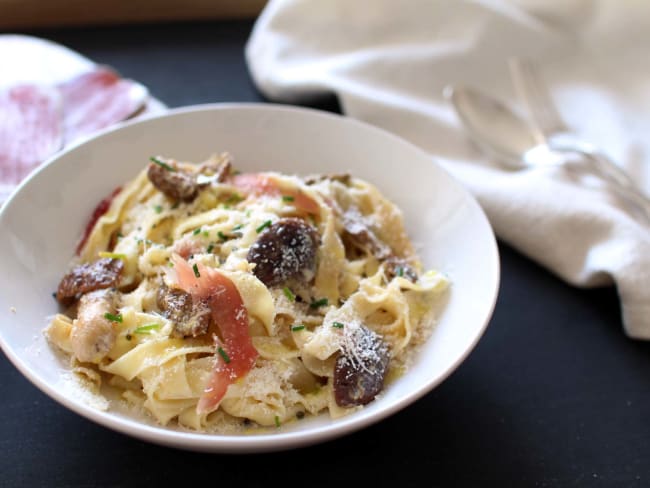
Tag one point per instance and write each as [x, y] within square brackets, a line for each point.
[190, 318]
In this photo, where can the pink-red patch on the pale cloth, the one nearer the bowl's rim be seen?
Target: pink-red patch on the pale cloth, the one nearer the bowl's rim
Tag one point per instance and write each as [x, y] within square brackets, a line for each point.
[97, 99]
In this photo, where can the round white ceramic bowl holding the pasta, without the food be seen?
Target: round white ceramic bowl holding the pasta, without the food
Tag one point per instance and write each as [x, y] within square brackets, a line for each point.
[42, 221]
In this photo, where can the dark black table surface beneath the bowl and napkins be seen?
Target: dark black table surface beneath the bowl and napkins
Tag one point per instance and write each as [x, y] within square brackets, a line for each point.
[553, 395]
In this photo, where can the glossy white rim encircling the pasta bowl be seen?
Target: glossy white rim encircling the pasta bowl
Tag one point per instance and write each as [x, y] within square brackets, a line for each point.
[276, 441]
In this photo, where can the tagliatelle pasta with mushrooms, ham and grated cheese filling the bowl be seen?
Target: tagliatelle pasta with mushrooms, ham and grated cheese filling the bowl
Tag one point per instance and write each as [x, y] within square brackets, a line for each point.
[223, 301]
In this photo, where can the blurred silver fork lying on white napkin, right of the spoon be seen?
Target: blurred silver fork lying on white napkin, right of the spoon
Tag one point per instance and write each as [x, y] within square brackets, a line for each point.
[549, 129]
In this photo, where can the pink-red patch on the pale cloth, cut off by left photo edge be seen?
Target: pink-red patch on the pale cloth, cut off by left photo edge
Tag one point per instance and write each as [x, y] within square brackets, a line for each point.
[31, 130]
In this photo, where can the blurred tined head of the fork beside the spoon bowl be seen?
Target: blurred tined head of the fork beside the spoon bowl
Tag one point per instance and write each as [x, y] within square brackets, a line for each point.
[535, 94]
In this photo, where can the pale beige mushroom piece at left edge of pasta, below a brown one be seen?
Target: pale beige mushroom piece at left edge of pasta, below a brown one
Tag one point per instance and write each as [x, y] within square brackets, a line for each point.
[93, 333]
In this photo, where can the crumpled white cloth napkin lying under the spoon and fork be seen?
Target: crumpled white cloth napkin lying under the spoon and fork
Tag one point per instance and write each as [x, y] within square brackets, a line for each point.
[388, 61]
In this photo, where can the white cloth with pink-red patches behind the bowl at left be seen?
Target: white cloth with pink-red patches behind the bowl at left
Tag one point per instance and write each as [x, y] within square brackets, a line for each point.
[50, 97]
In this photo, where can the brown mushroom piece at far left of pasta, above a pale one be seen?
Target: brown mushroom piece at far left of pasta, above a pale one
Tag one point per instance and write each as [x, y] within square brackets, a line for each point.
[103, 273]
